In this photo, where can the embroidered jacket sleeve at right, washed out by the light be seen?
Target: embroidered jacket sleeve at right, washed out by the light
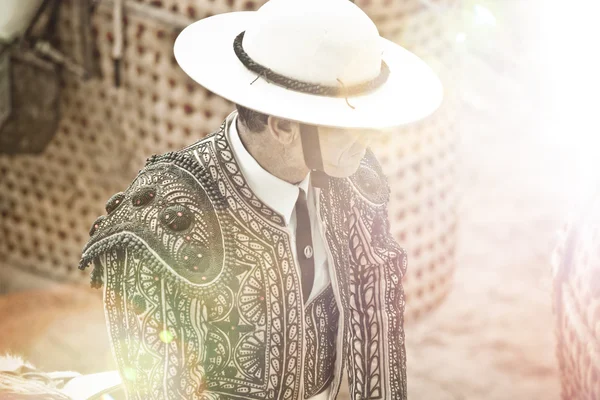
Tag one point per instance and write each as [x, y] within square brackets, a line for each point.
[376, 356]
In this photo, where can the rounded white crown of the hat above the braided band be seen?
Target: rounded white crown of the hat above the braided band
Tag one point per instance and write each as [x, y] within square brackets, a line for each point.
[315, 41]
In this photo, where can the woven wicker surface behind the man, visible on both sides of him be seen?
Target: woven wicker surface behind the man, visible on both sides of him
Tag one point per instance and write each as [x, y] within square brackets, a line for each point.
[106, 132]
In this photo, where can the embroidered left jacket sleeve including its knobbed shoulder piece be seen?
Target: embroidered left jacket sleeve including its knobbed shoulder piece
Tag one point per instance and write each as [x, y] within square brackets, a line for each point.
[156, 258]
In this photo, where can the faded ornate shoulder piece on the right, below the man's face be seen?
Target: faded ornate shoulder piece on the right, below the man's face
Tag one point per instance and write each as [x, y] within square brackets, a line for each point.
[370, 182]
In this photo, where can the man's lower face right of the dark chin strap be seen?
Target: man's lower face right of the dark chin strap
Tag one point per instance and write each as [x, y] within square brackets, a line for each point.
[342, 149]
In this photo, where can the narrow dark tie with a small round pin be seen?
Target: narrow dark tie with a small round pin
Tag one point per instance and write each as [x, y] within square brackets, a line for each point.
[304, 247]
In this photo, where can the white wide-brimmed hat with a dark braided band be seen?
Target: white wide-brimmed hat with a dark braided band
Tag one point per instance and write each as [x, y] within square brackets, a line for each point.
[320, 62]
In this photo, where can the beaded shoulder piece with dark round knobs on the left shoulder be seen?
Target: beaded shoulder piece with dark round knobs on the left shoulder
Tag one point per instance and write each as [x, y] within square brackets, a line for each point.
[166, 220]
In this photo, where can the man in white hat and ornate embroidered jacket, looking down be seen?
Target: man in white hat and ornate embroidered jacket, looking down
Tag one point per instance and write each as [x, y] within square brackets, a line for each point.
[257, 263]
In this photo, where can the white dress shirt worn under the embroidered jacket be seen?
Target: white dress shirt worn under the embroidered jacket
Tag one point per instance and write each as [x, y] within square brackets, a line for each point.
[281, 196]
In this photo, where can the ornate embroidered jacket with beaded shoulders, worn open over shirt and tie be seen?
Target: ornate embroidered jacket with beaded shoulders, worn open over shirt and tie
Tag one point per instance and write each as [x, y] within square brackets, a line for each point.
[202, 292]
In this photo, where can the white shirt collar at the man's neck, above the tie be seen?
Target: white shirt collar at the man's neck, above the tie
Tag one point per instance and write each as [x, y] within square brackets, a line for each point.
[276, 193]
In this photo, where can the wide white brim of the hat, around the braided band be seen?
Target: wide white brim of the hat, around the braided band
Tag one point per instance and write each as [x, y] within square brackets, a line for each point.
[204, 50]
